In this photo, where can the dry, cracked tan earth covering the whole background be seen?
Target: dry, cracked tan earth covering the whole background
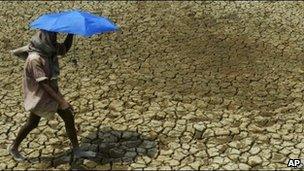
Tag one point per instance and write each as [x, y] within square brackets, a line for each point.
[184, 85]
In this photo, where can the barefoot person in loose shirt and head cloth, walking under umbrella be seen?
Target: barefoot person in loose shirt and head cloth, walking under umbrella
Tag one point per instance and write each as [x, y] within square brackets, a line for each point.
[42, 97]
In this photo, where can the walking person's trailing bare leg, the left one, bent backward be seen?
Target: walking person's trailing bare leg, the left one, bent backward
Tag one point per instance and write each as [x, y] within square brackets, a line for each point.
[31, 123]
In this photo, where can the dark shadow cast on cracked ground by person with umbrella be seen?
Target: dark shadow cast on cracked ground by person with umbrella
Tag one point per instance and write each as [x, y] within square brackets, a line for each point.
[110, 146]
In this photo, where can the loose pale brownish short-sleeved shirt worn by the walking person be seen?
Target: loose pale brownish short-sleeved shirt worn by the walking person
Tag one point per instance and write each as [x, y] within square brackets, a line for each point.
[36, 69]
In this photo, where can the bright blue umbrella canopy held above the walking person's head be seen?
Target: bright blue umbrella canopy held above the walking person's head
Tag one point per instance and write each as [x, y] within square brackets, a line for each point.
[74, 22]
